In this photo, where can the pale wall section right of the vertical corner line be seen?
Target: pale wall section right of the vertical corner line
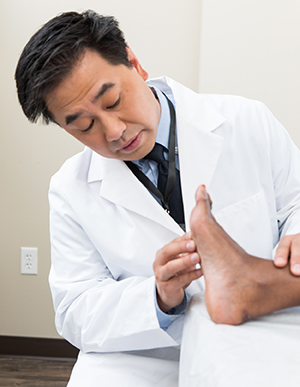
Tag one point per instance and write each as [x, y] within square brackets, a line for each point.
[252, 48]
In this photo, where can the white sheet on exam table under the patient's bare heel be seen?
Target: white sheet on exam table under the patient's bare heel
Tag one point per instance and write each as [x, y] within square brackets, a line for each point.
[263, 352]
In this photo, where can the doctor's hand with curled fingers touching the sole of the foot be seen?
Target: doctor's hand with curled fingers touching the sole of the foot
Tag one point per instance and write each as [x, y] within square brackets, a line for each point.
[175, 267]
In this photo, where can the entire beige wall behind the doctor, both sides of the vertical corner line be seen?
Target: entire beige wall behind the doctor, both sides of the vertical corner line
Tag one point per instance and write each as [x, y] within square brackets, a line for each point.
[248, 47]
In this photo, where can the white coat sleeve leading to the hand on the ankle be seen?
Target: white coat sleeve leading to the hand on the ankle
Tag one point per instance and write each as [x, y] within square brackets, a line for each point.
[285, 164]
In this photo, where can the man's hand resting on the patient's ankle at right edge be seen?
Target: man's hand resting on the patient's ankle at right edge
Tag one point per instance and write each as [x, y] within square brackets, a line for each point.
[289, 251]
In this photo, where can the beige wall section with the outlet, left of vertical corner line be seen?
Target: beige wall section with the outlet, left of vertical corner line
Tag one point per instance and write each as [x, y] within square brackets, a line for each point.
[30, 154]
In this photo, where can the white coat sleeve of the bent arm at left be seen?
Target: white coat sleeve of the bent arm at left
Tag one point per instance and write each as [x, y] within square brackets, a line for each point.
[95, 312]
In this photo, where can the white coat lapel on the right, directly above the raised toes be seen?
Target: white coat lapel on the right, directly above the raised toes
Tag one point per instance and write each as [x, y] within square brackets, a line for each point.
[199, 148]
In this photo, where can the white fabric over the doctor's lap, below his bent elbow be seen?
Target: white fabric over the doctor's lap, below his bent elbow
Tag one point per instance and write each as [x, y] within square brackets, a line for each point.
[152, 368]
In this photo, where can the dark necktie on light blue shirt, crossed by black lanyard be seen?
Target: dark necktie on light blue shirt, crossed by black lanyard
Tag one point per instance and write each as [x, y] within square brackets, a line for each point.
[175, 199]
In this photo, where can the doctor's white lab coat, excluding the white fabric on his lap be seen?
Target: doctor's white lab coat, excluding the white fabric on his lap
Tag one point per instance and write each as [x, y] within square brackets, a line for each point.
[106, 227]
